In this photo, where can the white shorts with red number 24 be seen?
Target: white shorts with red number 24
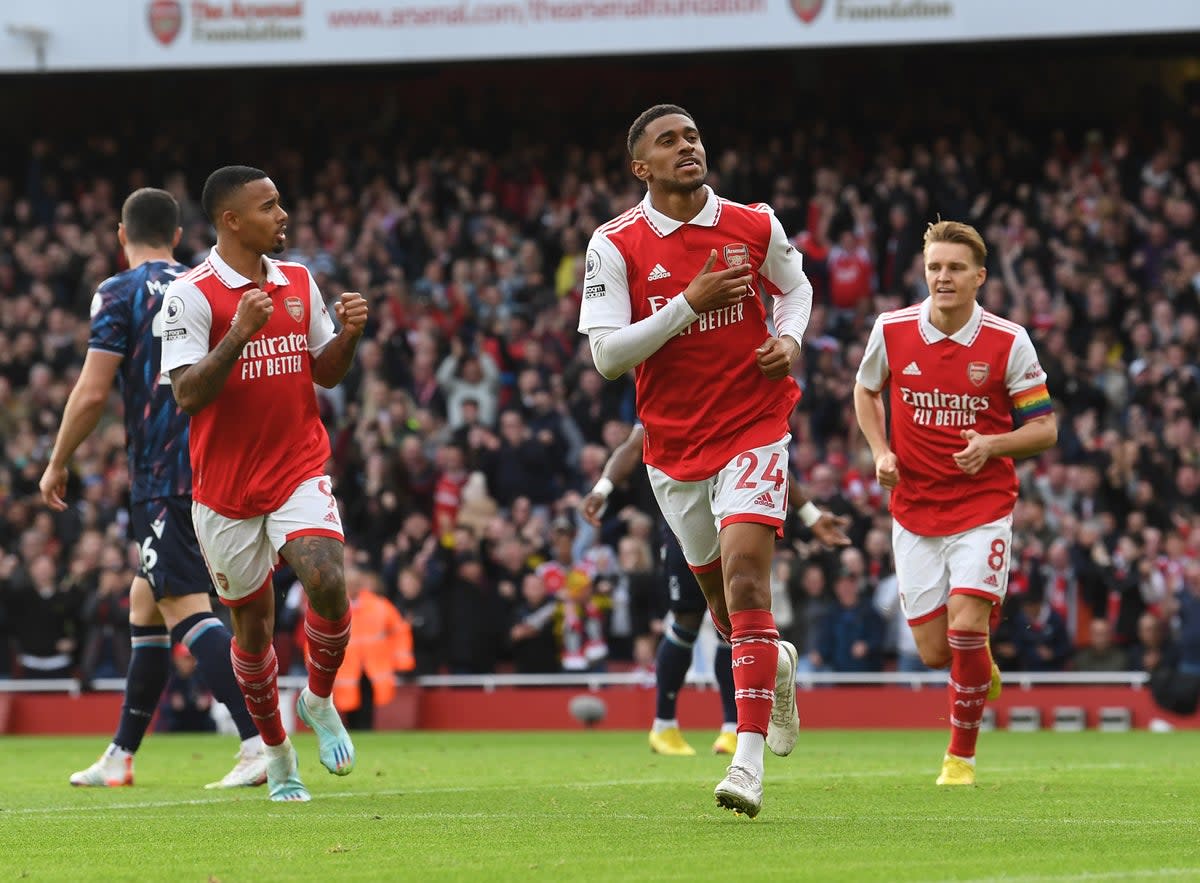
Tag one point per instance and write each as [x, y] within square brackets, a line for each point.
[752, 488]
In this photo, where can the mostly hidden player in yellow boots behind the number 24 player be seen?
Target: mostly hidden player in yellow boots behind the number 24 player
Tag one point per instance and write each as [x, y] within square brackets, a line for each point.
[688, 608]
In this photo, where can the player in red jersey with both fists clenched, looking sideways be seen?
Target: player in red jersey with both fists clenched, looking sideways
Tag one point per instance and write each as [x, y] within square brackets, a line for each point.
[245, 338]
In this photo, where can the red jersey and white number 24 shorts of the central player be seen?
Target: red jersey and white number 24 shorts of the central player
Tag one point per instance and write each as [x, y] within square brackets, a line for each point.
[716, 429]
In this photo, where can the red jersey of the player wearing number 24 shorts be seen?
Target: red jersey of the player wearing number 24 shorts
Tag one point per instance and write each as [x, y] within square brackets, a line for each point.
[700, 397]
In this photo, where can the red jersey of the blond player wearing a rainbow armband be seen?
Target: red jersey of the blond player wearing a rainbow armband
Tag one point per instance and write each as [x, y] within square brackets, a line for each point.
[975, 380]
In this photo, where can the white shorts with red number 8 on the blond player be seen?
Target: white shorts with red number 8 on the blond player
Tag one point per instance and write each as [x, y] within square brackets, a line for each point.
[931, 569]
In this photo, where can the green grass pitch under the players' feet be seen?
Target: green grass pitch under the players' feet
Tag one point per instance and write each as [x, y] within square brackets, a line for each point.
[585, 806]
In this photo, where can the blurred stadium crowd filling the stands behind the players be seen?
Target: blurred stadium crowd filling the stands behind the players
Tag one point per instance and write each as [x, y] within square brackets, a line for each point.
[475, 421]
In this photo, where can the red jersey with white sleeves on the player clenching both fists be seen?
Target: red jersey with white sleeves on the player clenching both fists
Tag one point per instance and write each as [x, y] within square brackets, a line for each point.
[262, 436]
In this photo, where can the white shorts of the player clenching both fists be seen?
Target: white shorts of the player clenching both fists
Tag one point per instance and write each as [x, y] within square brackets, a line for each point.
[241, 554]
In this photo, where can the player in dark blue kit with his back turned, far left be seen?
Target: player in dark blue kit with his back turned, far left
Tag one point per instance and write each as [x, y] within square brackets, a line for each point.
[170, 597]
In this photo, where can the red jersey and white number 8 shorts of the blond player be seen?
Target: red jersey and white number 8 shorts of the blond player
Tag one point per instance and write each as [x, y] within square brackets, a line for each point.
[952, 531]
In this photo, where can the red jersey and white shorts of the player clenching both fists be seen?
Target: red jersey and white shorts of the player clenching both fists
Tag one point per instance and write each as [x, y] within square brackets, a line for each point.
[259, 449]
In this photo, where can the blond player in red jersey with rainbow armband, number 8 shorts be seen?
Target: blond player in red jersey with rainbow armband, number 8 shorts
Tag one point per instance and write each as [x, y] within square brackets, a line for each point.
[958, 375]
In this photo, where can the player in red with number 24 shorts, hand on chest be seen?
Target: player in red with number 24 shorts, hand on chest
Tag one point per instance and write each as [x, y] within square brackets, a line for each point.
[671, 291]
